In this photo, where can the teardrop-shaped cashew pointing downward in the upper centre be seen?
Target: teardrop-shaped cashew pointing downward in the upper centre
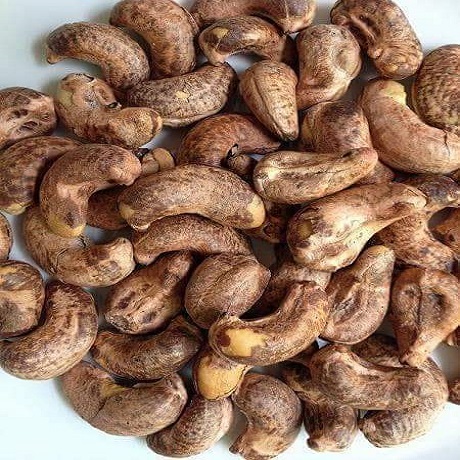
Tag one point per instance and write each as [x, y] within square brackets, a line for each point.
[268, 89]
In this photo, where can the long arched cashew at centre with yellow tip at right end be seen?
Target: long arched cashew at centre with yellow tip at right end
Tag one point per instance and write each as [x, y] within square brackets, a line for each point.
[192, 189]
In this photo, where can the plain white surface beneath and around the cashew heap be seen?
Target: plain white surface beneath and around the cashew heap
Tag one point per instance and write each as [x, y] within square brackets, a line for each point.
[36, 423]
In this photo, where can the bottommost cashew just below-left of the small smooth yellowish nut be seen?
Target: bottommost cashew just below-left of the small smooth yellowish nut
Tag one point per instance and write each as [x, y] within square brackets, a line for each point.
[202, 424]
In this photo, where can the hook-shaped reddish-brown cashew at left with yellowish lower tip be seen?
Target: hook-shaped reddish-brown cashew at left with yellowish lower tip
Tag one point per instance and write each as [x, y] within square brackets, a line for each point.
[74, 177]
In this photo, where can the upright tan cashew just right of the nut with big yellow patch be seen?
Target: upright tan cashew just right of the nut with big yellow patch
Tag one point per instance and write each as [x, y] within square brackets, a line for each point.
[360, 296]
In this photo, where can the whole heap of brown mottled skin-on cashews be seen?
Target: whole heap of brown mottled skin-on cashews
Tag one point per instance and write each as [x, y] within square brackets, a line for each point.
[348, 207]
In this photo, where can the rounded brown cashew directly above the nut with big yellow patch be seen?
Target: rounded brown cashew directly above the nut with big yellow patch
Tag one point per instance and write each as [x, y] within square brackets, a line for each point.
[224, 284]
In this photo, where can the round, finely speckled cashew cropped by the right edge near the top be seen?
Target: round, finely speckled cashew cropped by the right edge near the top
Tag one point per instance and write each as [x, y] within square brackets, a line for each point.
[435, 92]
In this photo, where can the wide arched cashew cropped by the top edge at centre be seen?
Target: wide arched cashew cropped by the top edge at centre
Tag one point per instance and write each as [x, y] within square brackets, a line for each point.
[290, 15]
